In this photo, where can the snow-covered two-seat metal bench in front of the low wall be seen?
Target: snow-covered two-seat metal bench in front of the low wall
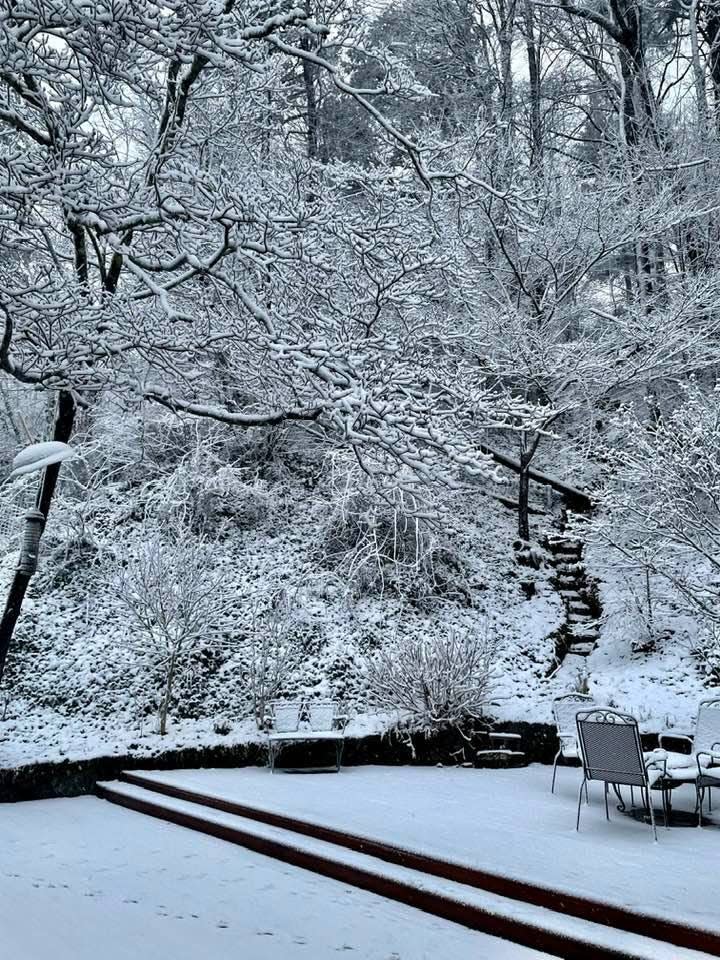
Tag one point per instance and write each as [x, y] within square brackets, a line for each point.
[285, 723]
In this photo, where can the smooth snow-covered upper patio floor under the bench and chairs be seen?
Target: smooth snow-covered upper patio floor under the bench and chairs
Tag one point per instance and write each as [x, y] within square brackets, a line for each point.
[505, 821]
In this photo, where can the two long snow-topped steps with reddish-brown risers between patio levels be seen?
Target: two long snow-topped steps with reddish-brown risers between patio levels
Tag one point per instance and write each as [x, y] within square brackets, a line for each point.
[563, 924]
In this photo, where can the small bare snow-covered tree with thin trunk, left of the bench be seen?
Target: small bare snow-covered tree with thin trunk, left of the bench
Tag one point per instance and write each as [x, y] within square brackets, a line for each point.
[177, 602]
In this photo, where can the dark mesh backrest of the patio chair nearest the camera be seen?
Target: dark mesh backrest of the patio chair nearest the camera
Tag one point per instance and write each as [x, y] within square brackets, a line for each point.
[610, 746]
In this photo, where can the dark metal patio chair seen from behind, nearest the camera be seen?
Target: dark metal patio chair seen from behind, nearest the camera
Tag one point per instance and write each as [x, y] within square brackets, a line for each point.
[612, 753]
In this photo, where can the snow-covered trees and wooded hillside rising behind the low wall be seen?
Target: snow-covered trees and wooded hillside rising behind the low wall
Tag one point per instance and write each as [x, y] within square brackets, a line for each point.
[338, 288]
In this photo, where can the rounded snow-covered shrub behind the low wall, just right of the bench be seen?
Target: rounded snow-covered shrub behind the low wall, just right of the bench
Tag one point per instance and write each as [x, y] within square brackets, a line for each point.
[438, 680]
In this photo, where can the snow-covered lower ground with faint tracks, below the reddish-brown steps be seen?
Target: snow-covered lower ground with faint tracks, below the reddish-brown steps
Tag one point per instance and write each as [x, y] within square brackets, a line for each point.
[82, 878]
